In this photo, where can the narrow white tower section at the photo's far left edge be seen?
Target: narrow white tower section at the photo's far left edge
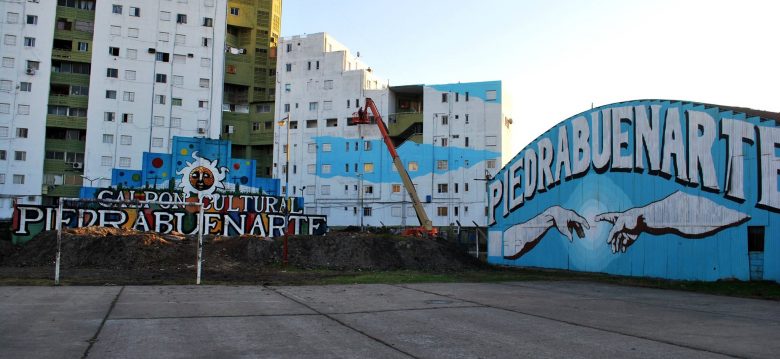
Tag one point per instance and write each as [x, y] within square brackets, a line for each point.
[26, 31]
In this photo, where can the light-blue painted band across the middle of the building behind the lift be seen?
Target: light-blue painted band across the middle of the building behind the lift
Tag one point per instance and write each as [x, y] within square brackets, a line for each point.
[424, 155]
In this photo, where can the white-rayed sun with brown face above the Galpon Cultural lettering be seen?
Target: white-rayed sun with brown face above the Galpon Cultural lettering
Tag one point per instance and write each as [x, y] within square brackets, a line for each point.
[202, 177]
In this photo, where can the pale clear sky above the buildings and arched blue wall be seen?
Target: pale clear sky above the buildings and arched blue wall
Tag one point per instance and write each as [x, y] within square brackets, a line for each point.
[558, 58]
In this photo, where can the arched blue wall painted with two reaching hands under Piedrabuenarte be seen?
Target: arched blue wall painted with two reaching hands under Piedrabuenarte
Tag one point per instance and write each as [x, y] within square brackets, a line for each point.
[645, 188]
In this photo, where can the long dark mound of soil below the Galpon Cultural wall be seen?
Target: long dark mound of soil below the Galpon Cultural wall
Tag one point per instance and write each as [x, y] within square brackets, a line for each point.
[233, 257]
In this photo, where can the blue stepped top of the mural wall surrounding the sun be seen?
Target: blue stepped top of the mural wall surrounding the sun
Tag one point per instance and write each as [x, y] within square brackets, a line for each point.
[160, 168]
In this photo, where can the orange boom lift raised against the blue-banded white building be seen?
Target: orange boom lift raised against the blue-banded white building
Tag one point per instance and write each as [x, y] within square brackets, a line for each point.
[426, 226]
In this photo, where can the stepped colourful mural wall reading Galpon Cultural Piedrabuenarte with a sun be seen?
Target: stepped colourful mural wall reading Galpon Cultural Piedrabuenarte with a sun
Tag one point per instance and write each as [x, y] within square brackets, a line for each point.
[199, 170]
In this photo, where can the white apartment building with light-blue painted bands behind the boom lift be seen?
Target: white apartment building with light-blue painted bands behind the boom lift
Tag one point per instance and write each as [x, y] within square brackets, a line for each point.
[449, 137]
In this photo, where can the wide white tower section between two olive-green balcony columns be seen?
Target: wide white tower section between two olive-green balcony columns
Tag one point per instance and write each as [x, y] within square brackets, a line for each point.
[157, 72]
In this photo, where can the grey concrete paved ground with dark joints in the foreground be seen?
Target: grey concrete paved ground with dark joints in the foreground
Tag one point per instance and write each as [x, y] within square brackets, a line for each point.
[509, 320]
